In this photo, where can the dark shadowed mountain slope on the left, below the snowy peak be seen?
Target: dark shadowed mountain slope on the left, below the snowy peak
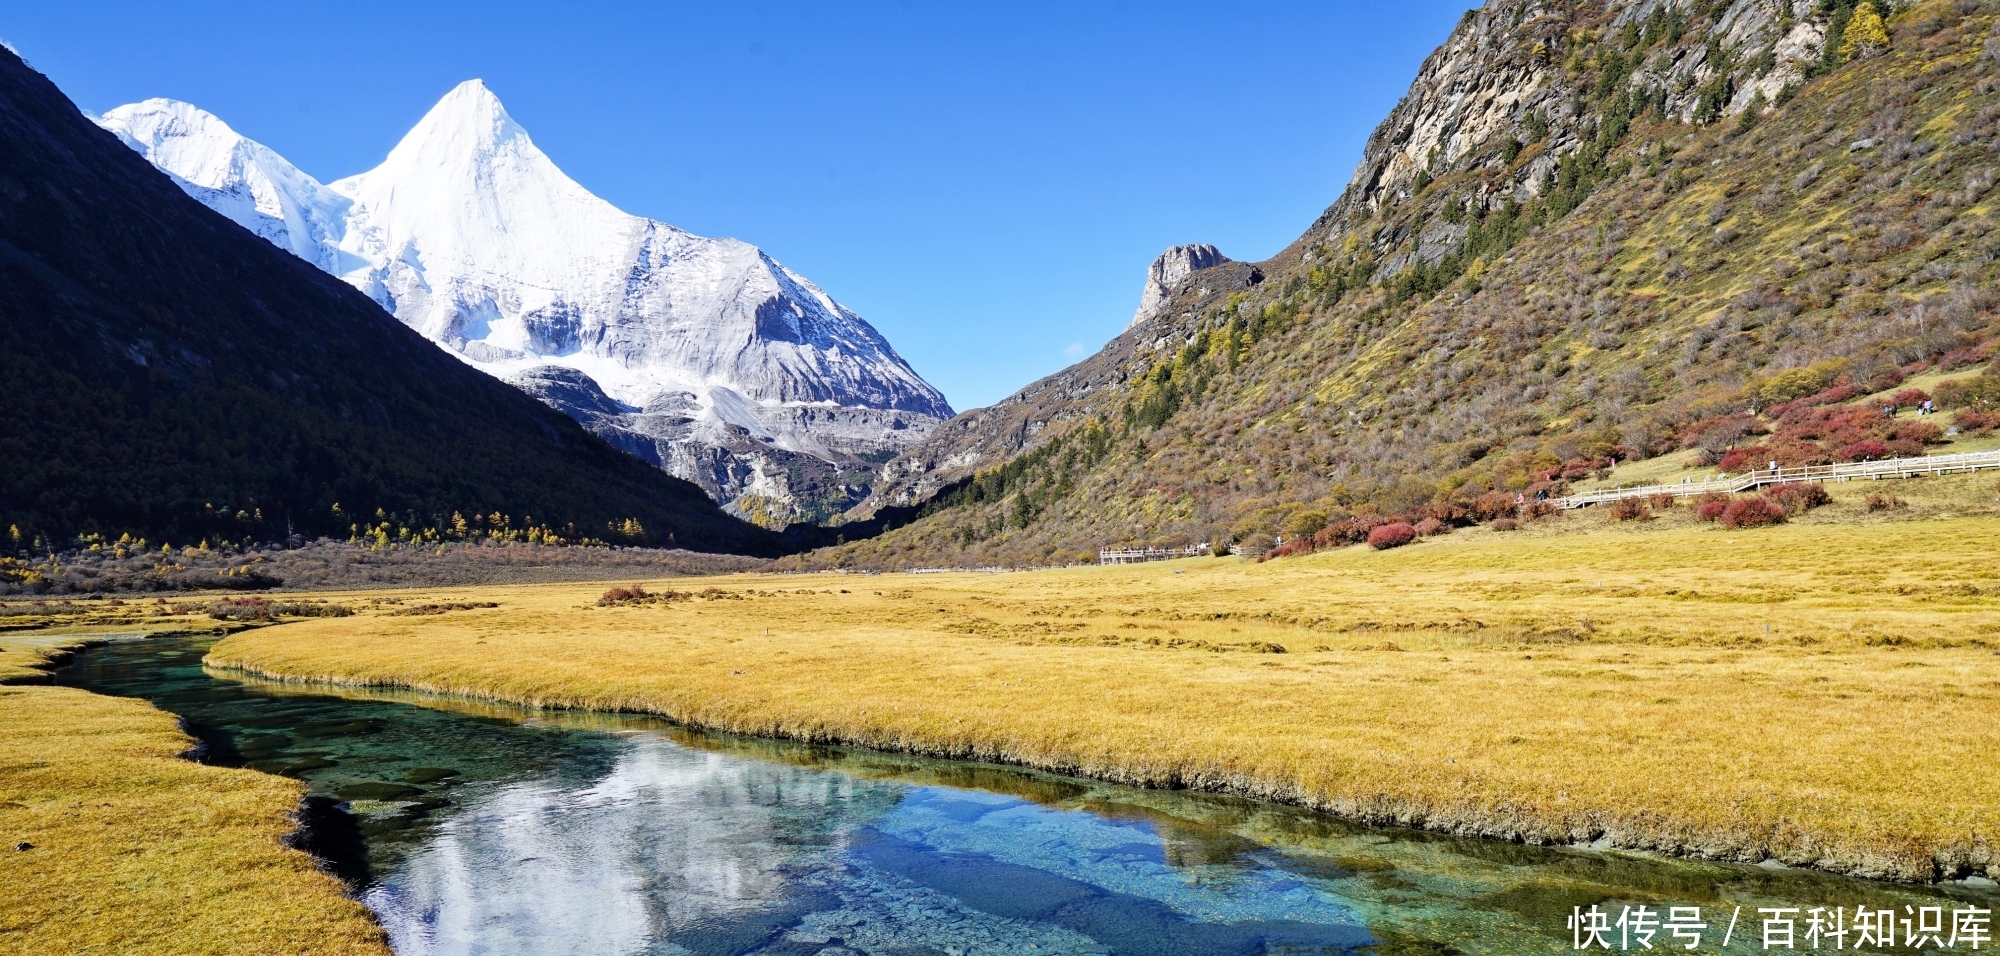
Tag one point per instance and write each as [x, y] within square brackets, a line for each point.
[175, 377]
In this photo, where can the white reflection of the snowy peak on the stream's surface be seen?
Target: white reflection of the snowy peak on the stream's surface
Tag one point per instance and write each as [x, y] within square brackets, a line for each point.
[671, 843]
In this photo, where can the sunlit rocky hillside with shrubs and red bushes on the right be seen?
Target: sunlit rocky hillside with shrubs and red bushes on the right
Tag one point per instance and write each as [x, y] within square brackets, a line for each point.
[1621, 257]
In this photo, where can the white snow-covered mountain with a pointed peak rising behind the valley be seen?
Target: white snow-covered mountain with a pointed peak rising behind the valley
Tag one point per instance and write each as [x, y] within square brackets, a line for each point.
[699, 355]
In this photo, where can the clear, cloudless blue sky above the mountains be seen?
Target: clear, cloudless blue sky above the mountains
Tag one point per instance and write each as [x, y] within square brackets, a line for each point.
[983, 183]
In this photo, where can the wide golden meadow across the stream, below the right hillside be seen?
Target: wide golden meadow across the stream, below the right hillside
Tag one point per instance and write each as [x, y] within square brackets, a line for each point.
[1823, 695]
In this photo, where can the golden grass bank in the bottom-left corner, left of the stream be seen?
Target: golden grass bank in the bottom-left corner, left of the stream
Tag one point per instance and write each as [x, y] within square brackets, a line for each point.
[141, 853]
